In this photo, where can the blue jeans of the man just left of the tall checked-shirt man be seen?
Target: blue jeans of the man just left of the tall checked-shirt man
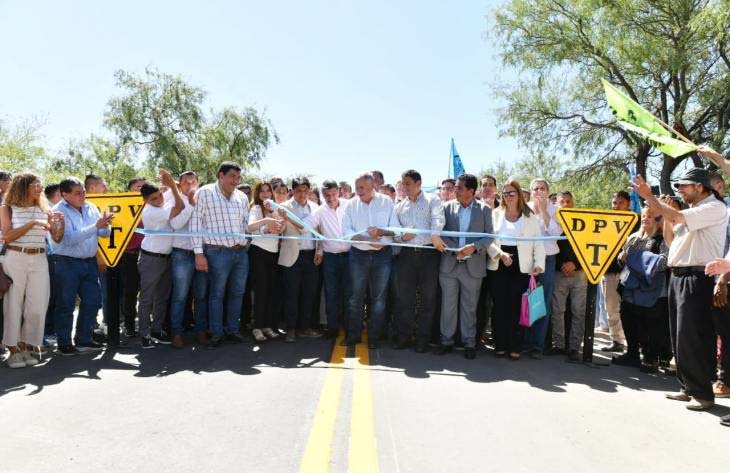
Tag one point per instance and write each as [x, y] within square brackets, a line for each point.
[184, 276]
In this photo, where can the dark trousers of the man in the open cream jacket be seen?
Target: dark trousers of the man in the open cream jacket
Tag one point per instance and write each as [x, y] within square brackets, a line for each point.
[301, 281]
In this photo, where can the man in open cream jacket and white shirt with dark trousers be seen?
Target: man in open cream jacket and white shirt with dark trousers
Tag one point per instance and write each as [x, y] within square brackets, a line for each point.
[301, 275]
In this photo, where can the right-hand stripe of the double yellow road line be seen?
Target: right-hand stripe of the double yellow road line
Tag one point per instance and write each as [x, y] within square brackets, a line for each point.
[363, 452]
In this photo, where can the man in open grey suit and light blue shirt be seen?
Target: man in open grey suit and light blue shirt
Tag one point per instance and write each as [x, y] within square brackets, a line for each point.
[462, 271]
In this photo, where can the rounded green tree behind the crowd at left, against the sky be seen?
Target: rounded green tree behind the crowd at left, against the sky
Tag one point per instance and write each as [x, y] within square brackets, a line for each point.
[162, 115]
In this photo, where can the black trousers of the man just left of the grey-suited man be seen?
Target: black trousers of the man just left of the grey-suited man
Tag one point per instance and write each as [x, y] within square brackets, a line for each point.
[418, 273]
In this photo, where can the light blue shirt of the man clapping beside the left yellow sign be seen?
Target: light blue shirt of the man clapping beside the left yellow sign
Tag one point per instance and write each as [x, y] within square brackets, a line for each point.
[80, 237]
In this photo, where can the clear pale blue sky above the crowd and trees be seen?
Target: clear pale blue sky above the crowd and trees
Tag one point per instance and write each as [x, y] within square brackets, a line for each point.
[349, 85]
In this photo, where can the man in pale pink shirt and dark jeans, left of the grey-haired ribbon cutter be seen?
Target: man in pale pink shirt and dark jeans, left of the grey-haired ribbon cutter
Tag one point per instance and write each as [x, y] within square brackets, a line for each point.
[327, 219]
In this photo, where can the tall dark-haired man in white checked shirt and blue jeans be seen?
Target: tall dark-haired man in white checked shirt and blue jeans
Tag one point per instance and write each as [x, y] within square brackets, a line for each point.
[223, 210]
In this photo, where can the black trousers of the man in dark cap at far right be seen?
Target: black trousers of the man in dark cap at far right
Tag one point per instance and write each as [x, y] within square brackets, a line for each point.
[693, 338]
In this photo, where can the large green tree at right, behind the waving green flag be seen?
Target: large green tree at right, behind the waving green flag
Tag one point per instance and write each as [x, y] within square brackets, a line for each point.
[669, 55]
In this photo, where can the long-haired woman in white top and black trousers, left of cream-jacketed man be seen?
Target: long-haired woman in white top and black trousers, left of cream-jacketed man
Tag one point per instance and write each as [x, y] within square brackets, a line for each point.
[264, 253]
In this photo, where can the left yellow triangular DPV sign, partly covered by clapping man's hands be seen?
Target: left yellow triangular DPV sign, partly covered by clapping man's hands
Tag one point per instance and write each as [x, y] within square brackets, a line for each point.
[127, 210]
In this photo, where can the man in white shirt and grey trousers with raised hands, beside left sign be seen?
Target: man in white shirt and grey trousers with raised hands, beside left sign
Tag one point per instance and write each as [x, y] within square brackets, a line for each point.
[154, 259]
